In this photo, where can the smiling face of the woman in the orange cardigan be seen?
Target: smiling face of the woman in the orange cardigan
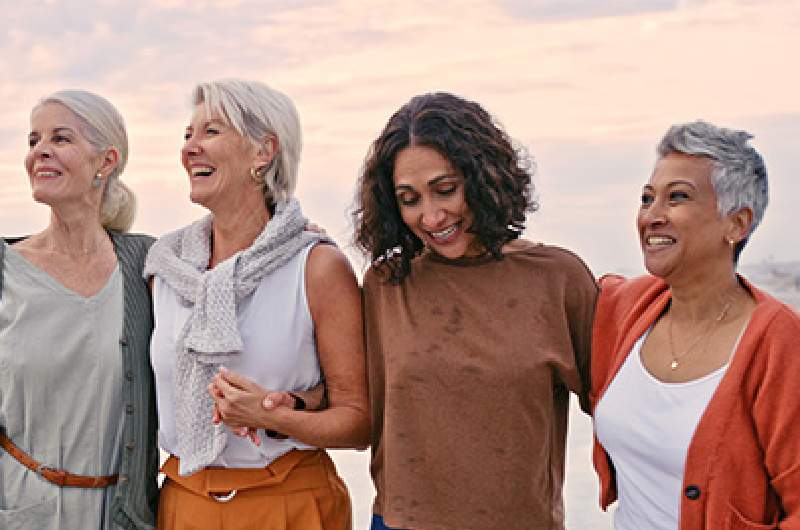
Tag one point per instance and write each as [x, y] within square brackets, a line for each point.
[681, 232]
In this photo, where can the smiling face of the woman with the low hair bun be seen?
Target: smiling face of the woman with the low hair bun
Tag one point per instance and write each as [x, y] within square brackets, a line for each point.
[61, 162]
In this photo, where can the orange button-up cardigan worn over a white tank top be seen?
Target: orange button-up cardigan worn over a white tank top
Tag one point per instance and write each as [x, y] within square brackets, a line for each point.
[743, 463]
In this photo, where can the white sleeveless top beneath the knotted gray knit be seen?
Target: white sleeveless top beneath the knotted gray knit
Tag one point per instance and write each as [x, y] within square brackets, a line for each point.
[279, 353]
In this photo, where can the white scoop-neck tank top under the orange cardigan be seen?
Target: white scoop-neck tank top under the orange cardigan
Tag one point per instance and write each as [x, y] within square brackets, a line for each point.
[646, 425]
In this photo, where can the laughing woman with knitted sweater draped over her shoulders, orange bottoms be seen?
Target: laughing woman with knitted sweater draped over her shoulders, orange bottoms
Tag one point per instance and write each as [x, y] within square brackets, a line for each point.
[246, 300]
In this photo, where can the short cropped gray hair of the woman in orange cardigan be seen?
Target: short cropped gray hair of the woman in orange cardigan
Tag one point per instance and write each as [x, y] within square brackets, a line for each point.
[739, 175]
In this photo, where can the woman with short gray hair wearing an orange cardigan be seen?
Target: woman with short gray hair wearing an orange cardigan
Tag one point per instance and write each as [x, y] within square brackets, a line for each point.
[694, 369]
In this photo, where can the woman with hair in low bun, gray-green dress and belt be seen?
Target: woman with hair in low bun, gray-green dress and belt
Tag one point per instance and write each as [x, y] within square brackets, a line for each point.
[77, 421]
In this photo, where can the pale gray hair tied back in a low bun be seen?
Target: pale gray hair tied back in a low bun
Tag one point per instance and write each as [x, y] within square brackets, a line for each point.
[103, 127]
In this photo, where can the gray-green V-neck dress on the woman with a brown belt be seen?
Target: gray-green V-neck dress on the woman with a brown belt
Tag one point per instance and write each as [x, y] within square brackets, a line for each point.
[60, 396]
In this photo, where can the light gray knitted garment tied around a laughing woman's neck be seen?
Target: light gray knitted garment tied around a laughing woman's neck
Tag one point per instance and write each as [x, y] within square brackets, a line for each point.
[211, 336]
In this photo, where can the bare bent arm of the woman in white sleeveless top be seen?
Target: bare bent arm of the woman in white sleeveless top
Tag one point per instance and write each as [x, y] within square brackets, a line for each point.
[335, 303]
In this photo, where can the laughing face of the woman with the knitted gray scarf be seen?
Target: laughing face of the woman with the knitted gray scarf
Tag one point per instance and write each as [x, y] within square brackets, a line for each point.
[218, 161]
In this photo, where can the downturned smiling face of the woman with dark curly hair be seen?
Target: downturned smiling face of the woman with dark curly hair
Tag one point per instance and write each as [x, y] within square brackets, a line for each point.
[430, 195]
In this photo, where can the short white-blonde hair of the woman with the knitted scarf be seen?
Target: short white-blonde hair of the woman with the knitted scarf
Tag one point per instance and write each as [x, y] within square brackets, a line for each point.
[256, 111]
